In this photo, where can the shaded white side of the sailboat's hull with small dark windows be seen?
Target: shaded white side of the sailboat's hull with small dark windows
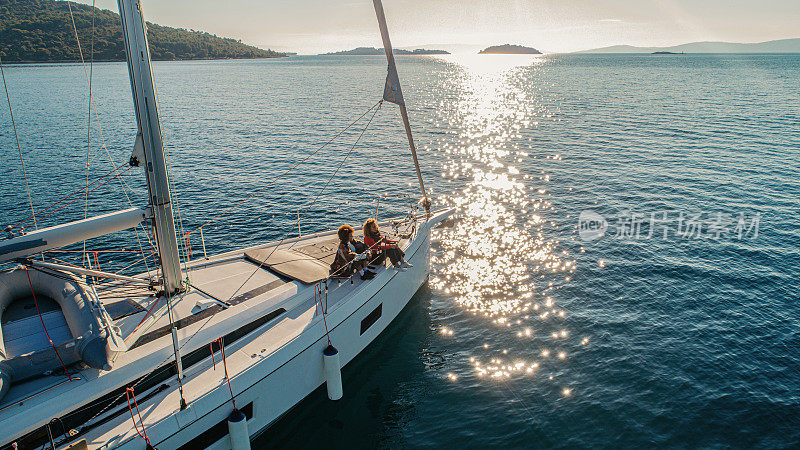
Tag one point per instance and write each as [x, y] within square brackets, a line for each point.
[272, 391]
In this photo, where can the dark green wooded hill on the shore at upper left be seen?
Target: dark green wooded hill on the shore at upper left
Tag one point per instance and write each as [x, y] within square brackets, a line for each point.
[41, 31]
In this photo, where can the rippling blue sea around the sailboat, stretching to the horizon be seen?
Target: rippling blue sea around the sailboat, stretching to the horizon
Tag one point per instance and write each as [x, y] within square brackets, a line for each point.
[680, 327]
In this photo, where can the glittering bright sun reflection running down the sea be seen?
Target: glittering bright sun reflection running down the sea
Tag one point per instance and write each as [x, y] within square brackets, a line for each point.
[500, 260]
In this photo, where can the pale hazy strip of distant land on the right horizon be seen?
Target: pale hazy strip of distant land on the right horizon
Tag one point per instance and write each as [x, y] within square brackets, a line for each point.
[776, 46]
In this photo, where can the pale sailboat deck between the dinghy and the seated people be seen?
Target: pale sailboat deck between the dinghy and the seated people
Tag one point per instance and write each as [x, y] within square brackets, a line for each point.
[230, 295]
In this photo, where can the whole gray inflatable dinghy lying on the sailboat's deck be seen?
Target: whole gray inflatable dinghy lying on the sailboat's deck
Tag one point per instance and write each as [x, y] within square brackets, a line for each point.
[54, 304]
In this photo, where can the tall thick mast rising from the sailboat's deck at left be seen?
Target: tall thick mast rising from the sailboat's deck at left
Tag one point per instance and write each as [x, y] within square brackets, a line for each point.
[134, 32]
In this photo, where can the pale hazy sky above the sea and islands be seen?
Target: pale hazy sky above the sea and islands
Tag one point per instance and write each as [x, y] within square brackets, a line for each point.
[315, 26]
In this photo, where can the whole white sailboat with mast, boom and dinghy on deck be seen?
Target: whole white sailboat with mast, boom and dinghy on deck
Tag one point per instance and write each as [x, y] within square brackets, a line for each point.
[205, 354]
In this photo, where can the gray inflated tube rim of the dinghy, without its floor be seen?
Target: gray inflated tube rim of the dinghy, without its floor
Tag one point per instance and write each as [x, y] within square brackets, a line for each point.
[89, 324]
